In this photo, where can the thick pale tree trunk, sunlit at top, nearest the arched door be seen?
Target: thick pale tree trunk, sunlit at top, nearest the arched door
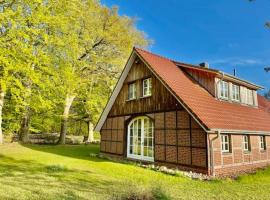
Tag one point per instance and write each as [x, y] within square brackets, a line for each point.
[63, 132]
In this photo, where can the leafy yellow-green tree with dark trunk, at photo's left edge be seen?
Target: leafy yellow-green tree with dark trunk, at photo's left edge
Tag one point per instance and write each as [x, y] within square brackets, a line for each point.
[25, 66]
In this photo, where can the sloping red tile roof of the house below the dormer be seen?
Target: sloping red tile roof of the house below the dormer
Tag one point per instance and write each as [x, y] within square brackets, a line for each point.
[211, 112]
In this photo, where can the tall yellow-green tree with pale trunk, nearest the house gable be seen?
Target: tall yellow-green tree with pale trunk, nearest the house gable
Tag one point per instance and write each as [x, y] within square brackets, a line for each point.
[100, 41]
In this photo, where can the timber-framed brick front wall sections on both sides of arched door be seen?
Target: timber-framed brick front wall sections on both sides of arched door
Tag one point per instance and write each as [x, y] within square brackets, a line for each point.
[178, 139]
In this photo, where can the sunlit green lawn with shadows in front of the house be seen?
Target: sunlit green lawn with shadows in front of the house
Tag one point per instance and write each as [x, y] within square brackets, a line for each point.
[69, 172]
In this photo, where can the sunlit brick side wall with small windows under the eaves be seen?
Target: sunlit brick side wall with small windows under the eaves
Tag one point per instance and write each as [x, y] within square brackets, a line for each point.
[238, 161]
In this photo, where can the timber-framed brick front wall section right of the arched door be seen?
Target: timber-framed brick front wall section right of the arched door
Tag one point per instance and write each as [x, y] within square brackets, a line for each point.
[179, 140]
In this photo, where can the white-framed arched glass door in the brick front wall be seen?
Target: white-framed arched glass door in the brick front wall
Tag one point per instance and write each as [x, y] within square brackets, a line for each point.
[140, 139]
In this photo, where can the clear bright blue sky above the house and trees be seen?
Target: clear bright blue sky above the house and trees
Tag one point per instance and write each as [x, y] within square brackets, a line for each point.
[226, 33]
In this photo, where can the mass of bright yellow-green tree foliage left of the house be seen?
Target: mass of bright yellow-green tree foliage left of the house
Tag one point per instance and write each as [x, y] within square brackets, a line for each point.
[51, 50]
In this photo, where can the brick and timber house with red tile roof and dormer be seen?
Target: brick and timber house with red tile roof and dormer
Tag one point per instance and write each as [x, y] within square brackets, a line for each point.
[185, 116]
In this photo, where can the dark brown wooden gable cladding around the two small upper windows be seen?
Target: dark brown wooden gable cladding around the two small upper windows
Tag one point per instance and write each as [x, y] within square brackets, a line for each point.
[160, 100]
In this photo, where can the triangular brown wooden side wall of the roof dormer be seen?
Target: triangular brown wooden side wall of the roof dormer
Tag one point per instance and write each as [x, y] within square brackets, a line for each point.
[205, 79]
